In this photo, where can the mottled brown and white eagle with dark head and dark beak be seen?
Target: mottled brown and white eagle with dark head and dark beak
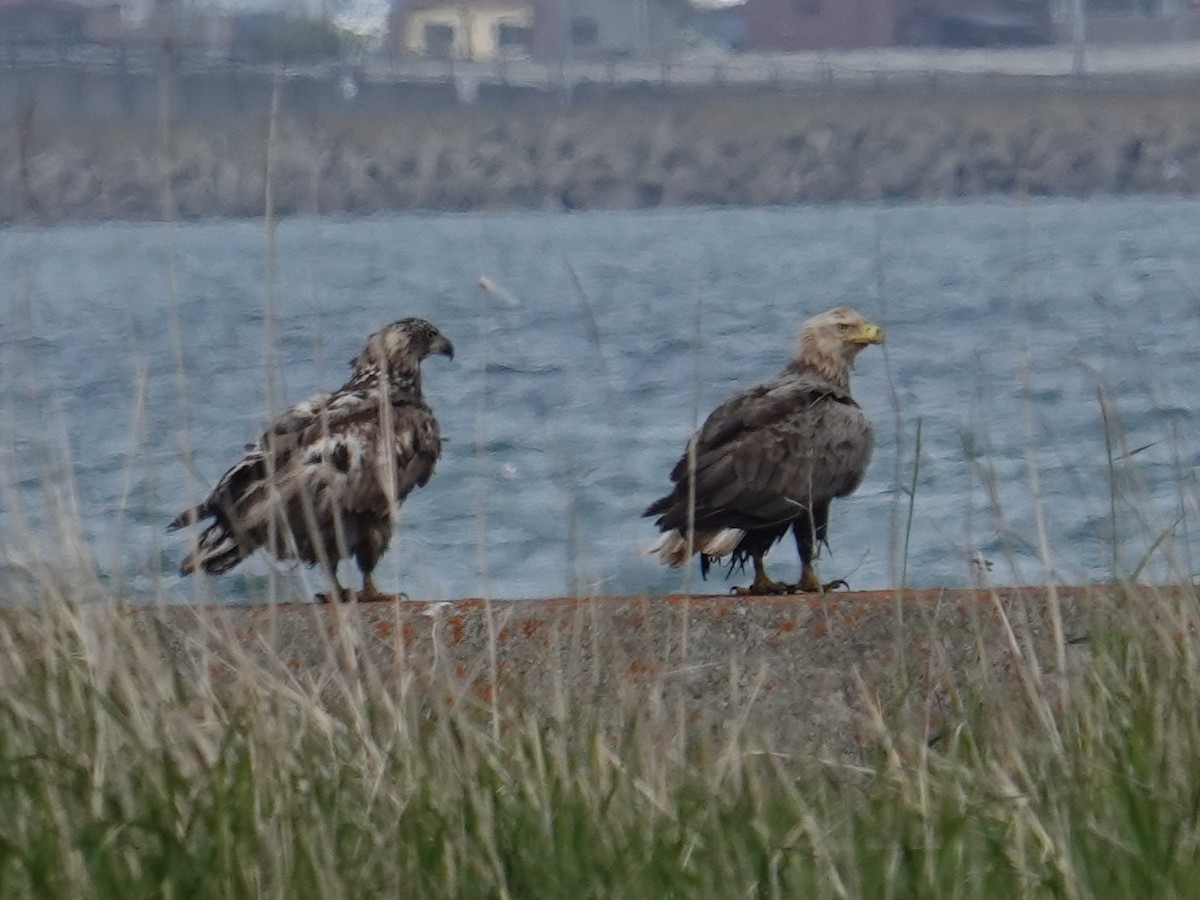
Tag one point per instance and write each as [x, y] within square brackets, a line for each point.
[326, 481]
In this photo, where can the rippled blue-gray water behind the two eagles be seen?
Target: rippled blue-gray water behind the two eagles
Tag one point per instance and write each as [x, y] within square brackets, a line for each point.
[1004, 326]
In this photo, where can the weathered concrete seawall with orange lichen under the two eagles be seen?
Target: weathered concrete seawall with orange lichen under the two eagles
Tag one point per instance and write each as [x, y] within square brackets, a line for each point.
[807, 673]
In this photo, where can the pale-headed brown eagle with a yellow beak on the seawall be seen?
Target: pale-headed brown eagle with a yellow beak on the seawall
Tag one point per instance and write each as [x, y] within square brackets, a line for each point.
[772, 459]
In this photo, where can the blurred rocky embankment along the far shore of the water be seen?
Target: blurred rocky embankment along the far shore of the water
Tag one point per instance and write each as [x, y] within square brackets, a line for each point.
[640, 149]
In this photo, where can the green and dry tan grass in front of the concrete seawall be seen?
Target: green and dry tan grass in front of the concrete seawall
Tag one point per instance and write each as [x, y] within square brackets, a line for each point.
[121, 777]
